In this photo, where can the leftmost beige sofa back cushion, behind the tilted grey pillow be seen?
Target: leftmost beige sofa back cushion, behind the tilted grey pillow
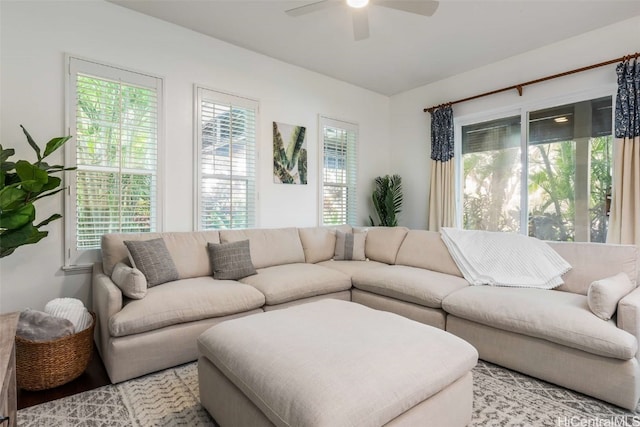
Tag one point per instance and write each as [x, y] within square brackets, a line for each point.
[188, 250]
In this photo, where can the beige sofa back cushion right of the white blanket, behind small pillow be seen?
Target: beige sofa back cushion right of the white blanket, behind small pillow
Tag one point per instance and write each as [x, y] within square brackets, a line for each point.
[595, 261]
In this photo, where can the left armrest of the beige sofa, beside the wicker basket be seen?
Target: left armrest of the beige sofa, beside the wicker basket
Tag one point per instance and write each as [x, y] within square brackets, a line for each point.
[107, 301]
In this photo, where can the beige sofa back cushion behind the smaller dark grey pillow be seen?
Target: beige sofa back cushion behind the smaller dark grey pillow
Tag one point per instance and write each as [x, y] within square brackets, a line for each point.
[269, 246]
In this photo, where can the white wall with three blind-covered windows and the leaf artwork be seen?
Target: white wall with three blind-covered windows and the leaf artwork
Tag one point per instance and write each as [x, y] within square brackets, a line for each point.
[36, 35]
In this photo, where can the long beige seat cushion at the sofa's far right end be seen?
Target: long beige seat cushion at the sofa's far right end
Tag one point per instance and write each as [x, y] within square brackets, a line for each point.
[560, 317]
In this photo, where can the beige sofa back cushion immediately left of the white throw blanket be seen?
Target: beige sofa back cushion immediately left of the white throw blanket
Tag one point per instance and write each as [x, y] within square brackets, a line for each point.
[425, 249]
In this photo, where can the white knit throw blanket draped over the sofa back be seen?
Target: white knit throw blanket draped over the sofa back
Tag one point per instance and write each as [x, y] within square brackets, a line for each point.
[504, 259]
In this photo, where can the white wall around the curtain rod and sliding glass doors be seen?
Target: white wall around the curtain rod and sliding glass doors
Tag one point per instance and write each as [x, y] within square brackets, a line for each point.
[410, 126]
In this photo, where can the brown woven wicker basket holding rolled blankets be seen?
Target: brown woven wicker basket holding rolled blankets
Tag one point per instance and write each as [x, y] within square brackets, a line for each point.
[41, 365]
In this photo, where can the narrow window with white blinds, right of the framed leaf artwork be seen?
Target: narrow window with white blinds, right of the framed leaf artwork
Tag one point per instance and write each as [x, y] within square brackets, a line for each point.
[339, 171]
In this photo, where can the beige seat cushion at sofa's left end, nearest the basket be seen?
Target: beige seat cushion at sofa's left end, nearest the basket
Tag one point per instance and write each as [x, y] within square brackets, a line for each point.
[184, 301]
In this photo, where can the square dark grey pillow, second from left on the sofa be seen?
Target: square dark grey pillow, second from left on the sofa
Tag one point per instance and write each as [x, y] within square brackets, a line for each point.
[231, 261]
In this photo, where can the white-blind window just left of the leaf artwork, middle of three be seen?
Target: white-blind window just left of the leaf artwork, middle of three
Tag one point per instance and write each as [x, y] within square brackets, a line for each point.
[226, 147]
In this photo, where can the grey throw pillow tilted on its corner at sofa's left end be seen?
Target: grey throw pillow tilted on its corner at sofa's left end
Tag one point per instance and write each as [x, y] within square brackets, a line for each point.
[152, 258]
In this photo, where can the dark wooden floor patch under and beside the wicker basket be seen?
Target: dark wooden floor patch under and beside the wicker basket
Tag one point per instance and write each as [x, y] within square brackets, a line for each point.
[95, 376]
